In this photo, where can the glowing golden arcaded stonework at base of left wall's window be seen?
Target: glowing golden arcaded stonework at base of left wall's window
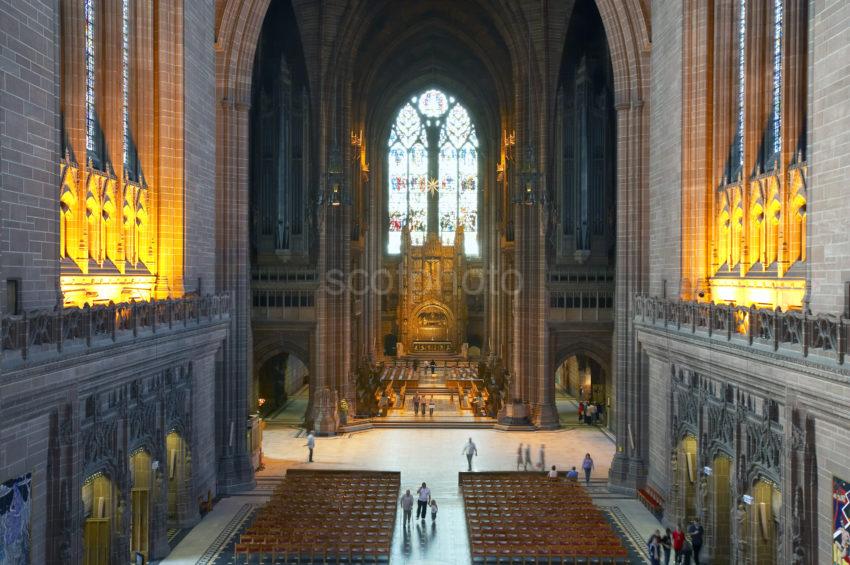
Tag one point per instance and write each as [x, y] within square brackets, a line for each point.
[110, 247]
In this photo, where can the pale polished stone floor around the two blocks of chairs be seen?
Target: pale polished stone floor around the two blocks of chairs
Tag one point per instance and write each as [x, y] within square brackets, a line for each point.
[429, 455]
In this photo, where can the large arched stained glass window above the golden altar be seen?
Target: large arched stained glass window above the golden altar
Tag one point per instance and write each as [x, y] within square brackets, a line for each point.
[455, 161]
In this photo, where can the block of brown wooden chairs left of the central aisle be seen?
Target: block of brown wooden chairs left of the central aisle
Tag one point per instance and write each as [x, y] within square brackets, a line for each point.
[324, 517]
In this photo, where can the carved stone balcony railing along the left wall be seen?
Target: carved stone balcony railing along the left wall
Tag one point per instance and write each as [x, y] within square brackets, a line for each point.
[43, 332]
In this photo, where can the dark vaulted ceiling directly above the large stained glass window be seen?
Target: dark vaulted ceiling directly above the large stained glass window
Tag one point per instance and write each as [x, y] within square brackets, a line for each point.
[403, 47]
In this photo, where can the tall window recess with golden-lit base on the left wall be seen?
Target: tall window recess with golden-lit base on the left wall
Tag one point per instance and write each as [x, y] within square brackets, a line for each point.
[110, 246]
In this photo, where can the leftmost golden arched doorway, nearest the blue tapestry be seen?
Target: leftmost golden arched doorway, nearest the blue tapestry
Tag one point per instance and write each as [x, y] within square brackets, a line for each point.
[99, 497]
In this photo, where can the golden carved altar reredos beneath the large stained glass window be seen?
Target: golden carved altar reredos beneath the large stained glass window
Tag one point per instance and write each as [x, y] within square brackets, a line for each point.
[431, 306]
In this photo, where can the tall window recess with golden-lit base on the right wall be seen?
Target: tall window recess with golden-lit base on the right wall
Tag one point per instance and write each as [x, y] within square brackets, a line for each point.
[757, 229]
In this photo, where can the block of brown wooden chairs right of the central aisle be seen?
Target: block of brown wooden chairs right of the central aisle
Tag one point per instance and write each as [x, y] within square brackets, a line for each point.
[515, 517]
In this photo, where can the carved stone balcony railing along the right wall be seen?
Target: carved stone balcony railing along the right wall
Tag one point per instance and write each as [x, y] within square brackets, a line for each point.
[819, 334]
